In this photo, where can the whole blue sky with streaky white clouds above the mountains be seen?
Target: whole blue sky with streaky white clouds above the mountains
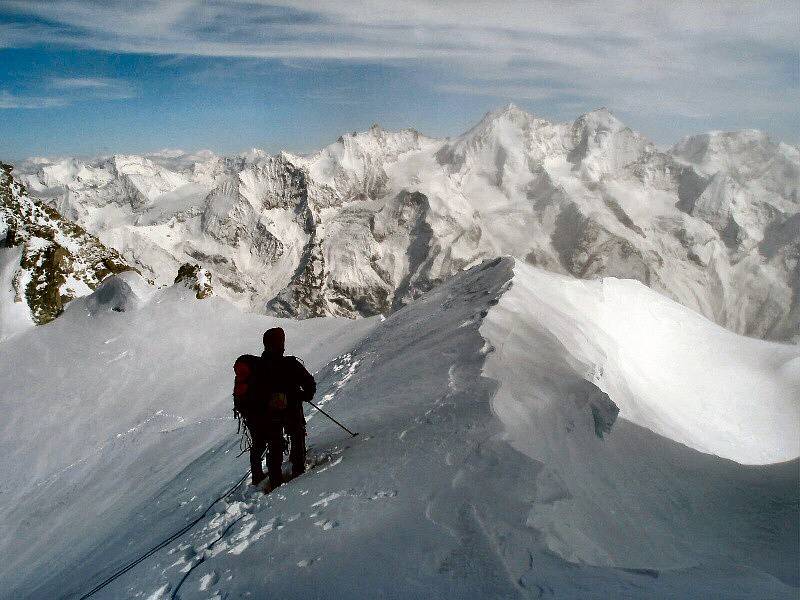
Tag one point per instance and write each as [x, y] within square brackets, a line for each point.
[88, 77]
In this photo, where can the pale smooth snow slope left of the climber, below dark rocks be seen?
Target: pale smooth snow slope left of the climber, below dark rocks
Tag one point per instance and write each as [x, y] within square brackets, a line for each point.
[107, 404]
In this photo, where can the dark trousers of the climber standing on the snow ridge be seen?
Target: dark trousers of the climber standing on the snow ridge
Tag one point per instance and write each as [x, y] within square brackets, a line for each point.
[270, 437]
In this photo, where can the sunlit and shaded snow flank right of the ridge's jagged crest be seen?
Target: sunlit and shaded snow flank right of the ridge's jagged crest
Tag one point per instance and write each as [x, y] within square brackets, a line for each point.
[675, 377]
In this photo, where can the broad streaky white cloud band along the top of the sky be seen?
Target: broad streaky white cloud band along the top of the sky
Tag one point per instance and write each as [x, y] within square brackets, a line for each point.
[682, 58]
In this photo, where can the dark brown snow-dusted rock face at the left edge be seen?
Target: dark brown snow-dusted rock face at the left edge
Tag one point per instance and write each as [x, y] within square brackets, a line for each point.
[59, 260]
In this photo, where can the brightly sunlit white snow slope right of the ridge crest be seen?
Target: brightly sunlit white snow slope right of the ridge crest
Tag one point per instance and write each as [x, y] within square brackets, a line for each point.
[666, 367]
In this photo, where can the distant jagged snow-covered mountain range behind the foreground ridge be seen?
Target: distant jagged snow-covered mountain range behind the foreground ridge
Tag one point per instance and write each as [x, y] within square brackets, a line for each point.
[373, 220]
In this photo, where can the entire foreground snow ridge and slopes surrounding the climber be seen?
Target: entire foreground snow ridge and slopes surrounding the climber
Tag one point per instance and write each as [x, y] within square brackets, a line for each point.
[523, 434]
